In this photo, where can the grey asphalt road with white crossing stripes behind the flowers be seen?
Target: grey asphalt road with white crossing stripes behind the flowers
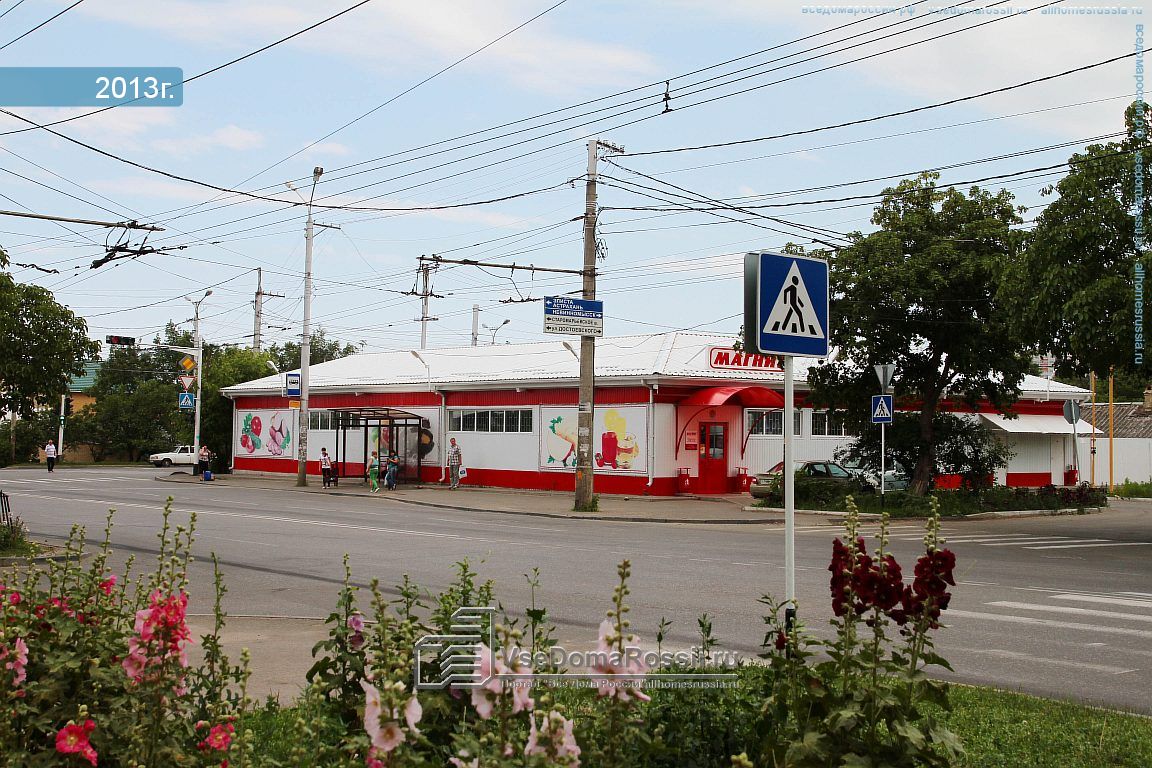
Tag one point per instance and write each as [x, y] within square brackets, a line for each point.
[1055, 606]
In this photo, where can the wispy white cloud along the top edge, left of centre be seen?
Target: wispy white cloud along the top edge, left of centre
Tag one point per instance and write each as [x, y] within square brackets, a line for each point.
[412, 39]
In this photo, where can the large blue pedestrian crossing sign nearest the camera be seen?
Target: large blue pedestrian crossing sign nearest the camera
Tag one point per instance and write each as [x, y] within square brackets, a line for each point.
[786, 305]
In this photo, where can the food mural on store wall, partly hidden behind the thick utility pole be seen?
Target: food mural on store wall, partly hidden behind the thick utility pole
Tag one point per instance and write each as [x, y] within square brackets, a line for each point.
[619, 439]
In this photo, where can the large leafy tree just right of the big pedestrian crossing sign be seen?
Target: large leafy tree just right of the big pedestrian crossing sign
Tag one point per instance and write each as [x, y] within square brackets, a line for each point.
[921, 293]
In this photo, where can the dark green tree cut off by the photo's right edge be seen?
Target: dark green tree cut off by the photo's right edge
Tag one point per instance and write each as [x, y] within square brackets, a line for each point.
[1073, 290]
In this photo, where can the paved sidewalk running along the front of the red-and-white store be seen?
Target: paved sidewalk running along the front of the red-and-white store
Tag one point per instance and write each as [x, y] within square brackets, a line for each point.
[725, 510]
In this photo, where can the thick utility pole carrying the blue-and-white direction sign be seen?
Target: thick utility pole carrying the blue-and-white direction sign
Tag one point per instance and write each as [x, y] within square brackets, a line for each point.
[583, 500]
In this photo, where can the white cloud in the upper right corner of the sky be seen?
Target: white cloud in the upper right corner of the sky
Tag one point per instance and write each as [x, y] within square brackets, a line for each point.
[1004, 52]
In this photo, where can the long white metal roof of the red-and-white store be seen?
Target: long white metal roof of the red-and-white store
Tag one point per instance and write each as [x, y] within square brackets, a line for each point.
[676, 356]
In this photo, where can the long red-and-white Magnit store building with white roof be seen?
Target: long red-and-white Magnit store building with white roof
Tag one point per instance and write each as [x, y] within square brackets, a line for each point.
[678, 413]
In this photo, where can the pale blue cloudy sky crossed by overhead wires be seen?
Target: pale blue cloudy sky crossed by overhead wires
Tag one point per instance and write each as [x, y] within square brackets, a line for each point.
[512, 121]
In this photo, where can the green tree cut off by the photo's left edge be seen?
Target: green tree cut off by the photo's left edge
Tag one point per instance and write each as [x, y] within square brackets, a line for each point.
[43, 345]
